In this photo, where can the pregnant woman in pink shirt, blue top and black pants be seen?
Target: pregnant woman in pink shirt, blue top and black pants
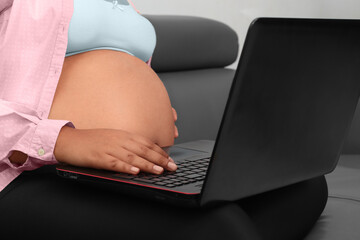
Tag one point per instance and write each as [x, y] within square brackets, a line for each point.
[76, 86]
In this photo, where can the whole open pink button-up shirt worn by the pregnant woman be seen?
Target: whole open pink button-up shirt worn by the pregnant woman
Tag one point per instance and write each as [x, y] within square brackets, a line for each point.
[33, 42]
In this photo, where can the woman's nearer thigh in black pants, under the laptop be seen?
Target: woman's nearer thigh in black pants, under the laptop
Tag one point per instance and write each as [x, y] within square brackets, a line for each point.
[41, 204]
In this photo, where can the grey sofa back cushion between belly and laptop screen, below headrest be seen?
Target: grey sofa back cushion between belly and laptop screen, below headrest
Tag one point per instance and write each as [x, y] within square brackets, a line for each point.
[199, 97]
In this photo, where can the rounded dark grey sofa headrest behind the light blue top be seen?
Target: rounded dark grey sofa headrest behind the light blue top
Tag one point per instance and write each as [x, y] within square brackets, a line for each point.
[187, 43]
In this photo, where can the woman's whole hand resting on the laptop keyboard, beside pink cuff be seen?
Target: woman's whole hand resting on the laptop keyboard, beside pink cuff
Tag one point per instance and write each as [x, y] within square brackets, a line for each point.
[111, 149]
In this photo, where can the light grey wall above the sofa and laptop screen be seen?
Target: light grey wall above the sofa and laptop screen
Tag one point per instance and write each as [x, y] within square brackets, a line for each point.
[238, 14]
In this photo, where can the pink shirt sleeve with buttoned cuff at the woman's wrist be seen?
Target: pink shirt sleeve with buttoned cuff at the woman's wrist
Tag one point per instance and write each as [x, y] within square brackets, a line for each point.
[23, 130]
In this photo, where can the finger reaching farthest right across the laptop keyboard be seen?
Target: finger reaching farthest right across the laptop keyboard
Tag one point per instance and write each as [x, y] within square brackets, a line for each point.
[151, 156]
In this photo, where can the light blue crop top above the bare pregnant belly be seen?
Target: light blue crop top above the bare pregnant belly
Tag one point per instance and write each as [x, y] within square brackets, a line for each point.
[107, 24]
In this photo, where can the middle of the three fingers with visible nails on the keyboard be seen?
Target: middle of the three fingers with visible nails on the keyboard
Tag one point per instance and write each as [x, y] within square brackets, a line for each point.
[137, 161]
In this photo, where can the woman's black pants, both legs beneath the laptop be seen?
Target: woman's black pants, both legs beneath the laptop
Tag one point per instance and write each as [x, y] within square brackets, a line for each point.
[43, 205]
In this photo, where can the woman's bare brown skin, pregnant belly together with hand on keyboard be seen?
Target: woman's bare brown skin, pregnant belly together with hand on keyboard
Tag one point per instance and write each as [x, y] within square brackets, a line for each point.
[121, 111]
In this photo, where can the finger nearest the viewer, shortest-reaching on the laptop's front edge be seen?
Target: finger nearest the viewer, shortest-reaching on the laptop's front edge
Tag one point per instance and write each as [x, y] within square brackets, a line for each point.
[112, 163]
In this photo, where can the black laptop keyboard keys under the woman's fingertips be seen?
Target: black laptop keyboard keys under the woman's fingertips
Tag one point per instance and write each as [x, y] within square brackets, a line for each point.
[188, 171]
